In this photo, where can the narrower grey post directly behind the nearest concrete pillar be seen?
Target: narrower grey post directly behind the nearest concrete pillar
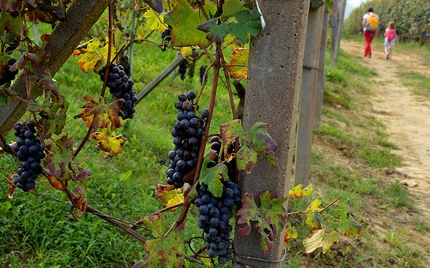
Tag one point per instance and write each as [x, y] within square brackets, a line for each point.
[307, 97]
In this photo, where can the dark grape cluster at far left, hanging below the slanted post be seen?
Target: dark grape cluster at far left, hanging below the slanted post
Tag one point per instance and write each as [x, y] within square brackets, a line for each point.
[29, 152]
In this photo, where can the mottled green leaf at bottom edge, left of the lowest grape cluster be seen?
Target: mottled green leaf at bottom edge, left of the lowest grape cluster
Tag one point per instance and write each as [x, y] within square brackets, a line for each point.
[164, 251]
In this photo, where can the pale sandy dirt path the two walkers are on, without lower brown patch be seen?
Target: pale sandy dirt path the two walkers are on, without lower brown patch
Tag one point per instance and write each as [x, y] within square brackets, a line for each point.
[406, 116]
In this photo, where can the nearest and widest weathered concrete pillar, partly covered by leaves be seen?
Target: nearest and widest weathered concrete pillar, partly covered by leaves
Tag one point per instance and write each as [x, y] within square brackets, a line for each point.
[274, 75]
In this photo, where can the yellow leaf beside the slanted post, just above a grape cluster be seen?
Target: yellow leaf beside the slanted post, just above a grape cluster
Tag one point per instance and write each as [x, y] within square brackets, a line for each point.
[93, 55]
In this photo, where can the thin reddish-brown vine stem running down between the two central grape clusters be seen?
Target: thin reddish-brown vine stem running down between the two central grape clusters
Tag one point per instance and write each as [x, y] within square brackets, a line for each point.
[187, 202]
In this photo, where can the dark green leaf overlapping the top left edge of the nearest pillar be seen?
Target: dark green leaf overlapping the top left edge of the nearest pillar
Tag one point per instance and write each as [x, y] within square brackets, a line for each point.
[247, 23]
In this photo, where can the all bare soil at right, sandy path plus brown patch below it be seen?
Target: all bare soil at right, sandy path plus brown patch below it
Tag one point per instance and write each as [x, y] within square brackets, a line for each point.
[407, 120]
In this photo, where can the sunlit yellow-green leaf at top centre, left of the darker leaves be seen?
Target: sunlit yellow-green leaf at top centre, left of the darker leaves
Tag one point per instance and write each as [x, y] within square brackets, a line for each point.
[184, 21]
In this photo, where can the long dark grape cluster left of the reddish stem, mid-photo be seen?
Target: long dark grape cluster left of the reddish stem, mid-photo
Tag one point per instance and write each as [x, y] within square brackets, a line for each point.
[186, 132]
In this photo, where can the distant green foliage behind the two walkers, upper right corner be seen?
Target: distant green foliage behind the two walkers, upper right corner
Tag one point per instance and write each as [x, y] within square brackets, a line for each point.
[411, 18]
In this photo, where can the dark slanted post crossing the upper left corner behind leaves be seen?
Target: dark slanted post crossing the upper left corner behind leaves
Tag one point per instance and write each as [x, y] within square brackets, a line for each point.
[66, 36]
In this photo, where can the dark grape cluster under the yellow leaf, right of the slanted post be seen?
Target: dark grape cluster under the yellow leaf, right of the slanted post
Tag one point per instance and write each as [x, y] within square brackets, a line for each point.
[121, 87]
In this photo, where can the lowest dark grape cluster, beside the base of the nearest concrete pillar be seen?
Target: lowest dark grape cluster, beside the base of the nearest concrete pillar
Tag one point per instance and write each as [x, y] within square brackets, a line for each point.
[214, 216]
